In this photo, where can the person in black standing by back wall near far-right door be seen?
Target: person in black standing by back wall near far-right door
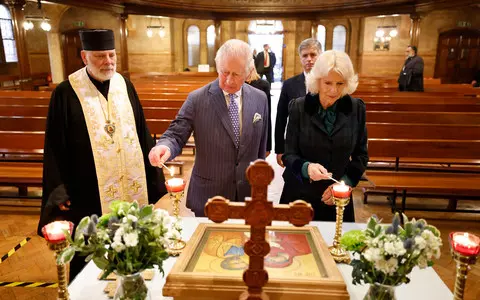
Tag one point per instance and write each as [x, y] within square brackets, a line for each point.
[411, 75]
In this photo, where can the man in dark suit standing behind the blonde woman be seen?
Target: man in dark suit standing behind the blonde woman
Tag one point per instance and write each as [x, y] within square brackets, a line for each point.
[293, 88]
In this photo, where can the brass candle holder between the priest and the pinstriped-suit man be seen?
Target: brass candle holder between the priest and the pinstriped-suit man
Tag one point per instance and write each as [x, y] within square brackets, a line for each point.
[176, 187]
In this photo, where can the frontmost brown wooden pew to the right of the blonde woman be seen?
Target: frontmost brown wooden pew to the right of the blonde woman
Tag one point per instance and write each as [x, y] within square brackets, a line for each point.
[421, 186]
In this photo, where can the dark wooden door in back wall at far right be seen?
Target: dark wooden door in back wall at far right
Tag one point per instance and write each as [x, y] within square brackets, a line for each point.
[458, 55]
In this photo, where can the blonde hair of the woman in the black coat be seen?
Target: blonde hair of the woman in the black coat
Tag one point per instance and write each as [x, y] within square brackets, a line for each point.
[337, 61]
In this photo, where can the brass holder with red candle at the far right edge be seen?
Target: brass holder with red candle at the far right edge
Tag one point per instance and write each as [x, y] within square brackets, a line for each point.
[465, 256]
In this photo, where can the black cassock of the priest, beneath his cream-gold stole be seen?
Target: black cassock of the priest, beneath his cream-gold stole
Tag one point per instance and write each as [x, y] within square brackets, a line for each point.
[68, 164]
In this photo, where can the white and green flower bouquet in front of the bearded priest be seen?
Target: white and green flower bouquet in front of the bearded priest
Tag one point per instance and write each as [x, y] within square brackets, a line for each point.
[127, 240]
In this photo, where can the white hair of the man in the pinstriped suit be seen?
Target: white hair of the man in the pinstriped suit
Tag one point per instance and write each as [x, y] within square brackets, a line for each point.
[234, 49]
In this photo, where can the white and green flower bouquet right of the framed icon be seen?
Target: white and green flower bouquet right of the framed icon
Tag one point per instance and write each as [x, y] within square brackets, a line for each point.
[386, 254]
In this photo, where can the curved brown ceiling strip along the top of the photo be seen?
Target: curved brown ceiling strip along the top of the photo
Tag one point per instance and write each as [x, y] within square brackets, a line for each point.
[241, 9]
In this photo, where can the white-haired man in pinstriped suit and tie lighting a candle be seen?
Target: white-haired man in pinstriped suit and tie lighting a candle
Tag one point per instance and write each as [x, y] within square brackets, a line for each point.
[228, 119]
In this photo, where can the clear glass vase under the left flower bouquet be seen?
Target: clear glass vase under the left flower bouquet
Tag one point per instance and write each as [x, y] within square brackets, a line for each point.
[131, 287]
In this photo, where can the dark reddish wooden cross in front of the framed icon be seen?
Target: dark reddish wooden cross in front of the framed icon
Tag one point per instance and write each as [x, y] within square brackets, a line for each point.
[258, 212]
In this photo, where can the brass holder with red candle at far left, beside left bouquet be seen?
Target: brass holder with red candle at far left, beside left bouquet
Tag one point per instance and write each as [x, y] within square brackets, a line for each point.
[55, 237]
